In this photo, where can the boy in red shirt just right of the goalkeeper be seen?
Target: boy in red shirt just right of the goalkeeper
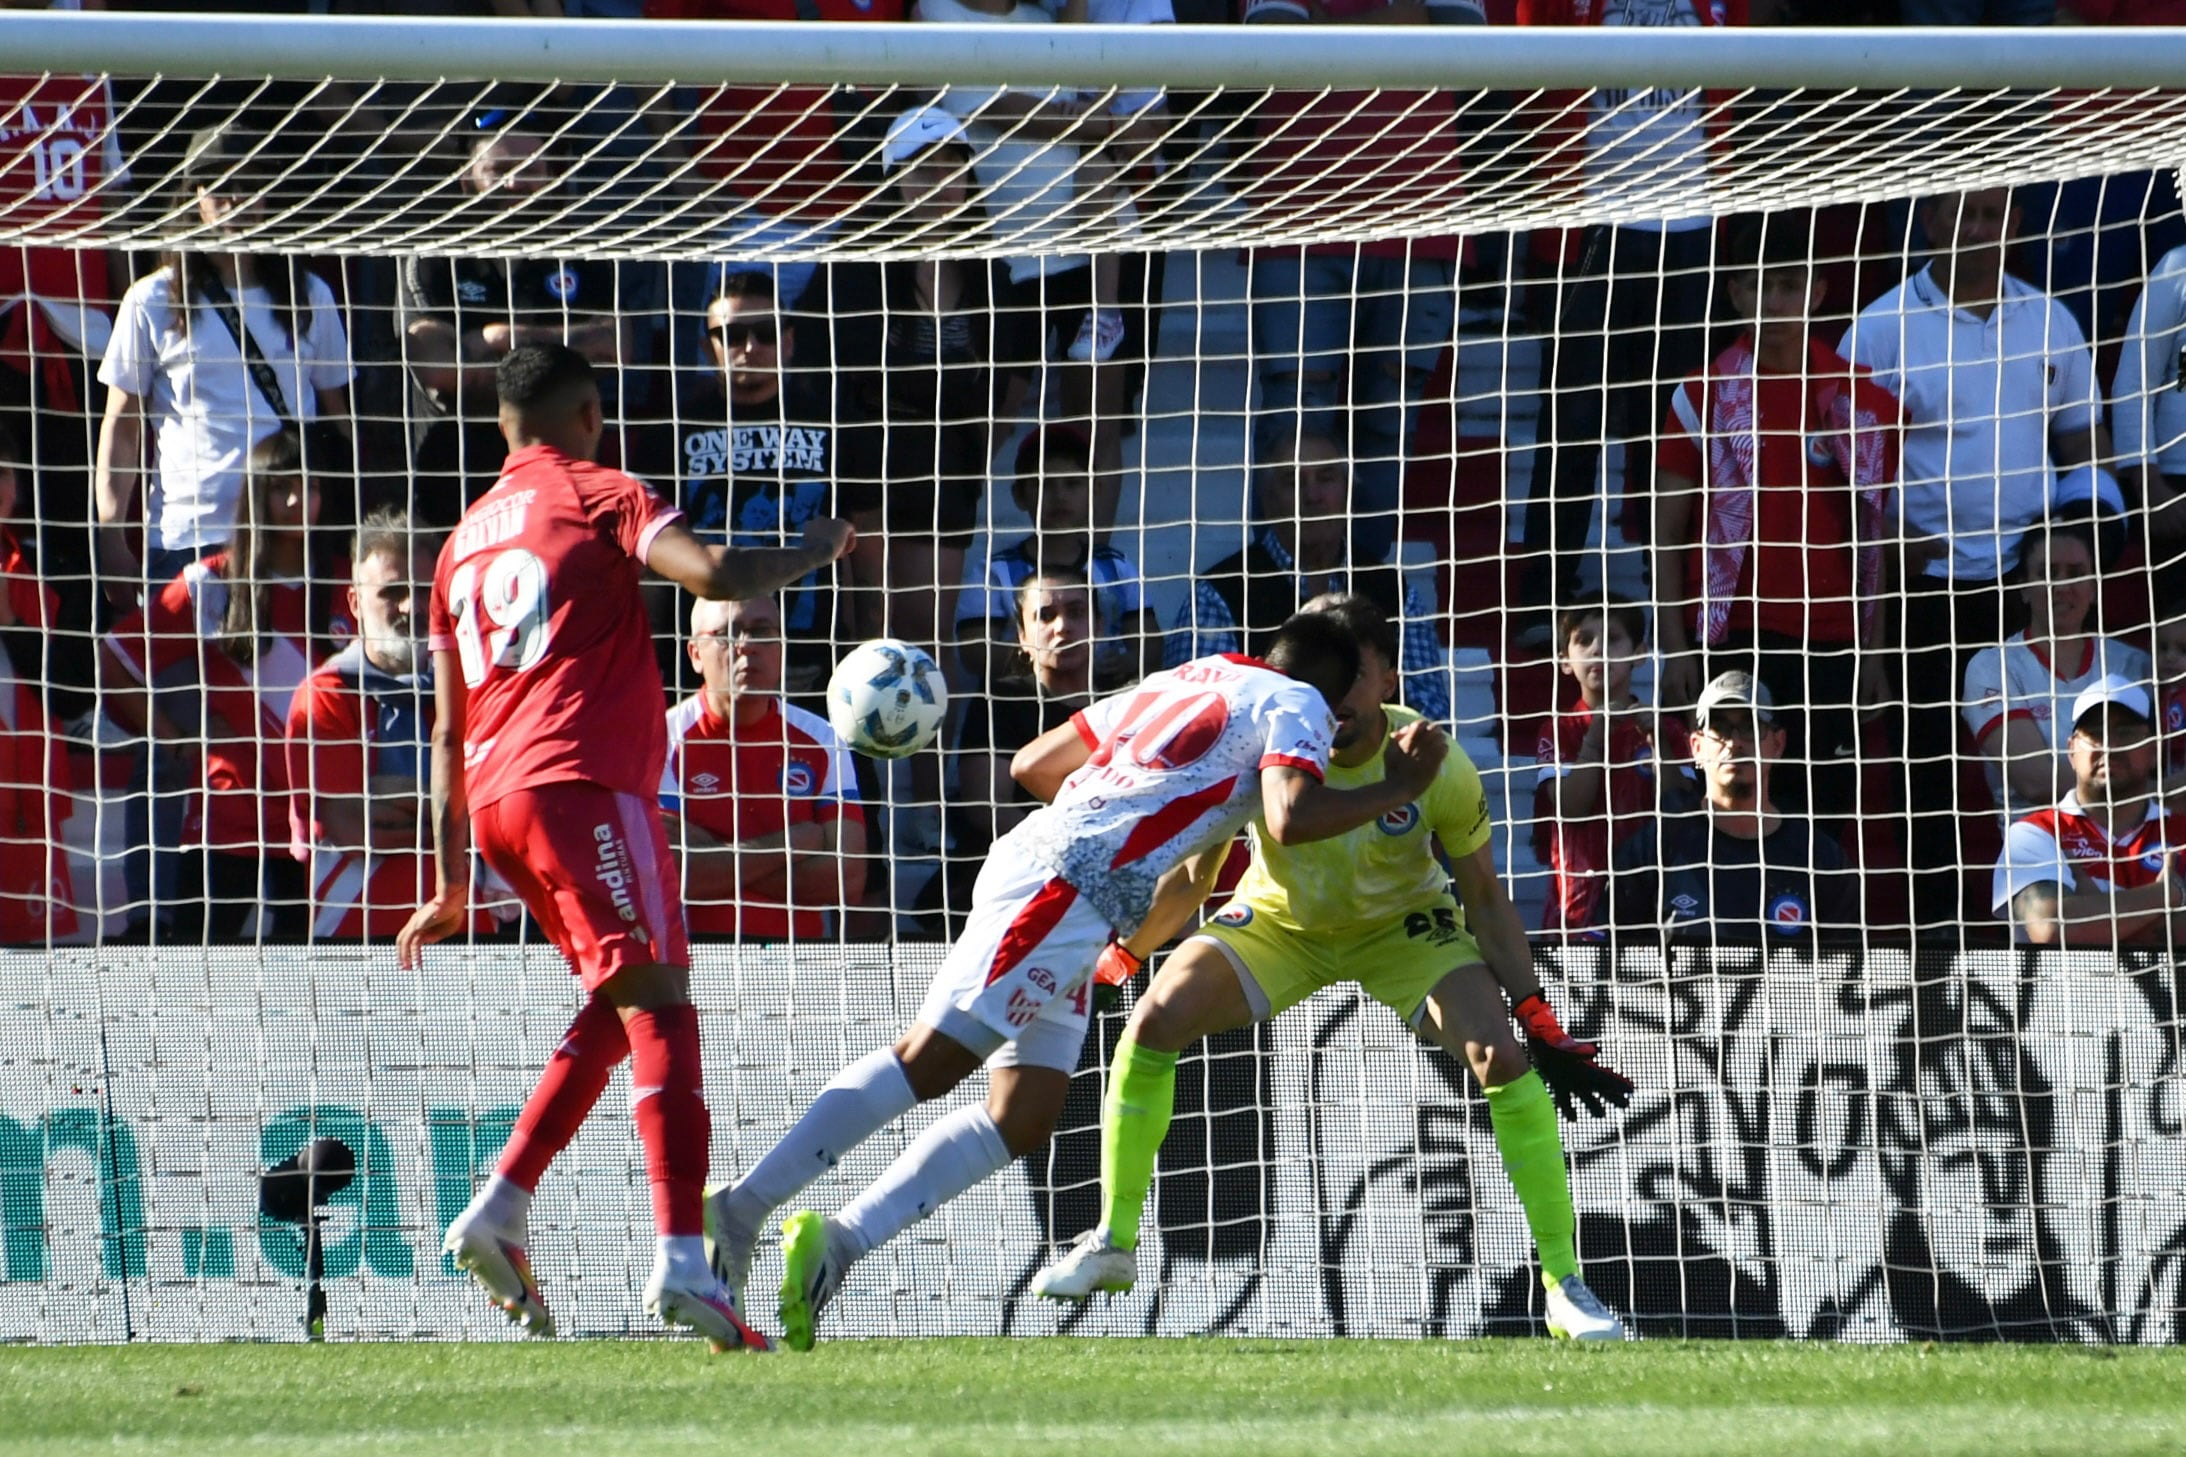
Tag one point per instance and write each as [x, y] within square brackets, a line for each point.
[1603, 761]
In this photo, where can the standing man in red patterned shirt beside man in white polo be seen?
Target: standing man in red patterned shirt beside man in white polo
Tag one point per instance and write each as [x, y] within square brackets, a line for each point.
[1776, 466]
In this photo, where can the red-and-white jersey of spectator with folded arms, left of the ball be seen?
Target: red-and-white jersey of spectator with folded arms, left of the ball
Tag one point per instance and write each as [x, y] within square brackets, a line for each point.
[747, 783]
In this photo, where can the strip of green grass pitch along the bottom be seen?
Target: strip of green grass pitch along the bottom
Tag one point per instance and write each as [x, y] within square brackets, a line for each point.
[1123, 1399]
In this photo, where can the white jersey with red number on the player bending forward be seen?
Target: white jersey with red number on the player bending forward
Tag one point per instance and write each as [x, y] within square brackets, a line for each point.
[1175, 770]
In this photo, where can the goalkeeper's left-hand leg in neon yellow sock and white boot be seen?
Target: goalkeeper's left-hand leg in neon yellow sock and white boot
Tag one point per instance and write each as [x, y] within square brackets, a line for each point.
[1197, 995]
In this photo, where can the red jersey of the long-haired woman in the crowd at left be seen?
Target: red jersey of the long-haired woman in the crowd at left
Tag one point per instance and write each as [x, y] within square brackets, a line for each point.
[239, 709]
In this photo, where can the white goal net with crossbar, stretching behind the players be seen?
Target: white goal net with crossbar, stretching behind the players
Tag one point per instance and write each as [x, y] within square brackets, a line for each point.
[1606, 364]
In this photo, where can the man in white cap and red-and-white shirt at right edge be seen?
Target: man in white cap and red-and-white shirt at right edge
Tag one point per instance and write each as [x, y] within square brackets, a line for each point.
[2102, 868]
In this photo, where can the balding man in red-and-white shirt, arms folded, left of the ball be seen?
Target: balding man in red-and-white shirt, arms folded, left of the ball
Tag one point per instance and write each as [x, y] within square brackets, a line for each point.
[757, 792]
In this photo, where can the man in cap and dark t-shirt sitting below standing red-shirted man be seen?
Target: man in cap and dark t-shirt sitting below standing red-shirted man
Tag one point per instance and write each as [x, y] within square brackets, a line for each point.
[1737, 868]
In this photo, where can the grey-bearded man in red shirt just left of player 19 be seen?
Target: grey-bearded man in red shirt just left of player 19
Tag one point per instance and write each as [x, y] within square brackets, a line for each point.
[357, 746]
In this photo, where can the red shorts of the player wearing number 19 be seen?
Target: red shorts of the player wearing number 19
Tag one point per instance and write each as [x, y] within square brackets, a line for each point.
[593, 868]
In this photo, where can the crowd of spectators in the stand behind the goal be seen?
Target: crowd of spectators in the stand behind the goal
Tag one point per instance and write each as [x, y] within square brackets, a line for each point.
[1896, 523]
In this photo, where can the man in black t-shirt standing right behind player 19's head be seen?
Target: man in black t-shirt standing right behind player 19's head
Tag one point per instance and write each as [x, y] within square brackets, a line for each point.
[460, 316]
